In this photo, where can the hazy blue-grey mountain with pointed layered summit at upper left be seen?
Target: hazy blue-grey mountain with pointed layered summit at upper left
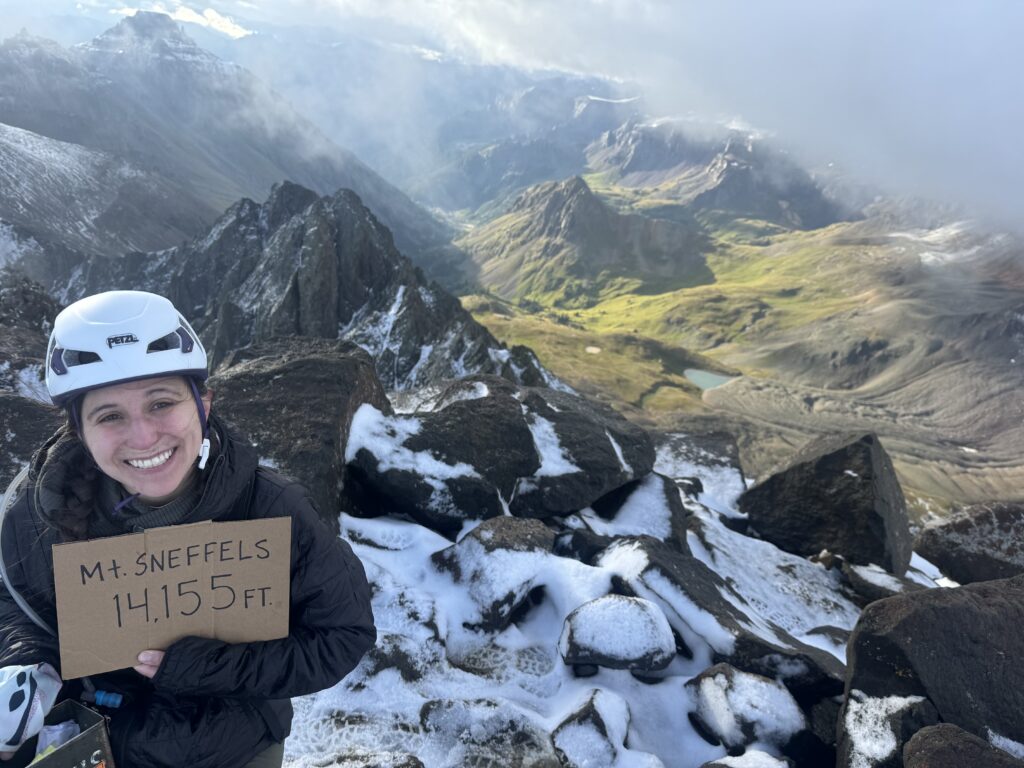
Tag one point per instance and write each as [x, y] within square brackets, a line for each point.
[145, 92]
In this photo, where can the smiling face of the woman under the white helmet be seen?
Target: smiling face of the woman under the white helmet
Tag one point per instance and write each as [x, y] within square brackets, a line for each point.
[145, 435]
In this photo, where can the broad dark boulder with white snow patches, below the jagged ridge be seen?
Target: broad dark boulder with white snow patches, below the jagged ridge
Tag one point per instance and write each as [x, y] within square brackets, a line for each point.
[484, 447]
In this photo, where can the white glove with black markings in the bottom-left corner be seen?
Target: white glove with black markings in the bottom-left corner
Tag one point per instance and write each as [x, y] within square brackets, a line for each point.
[27, 695]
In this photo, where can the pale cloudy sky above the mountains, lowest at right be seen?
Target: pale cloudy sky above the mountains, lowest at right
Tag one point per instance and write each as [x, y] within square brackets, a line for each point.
[924, 96]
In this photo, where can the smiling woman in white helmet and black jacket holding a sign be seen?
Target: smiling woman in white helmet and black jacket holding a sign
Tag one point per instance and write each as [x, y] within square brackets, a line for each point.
[143, 449]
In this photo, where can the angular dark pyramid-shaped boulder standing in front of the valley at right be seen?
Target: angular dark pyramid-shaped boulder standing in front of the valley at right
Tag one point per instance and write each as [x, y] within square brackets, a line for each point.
[839, 494]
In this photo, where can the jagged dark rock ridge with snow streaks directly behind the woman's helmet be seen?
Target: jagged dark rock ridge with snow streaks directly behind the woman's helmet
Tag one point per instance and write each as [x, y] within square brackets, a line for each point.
[302, 265]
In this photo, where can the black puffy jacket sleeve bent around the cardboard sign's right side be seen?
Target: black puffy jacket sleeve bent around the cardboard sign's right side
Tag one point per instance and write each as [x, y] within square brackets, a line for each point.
[331, 625]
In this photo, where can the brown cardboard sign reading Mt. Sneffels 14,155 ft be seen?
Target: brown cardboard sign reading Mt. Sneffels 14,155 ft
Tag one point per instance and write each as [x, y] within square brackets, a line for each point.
[125, 594]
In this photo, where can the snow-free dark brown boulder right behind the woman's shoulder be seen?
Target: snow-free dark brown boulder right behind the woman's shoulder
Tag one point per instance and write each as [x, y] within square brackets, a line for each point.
[295, 398]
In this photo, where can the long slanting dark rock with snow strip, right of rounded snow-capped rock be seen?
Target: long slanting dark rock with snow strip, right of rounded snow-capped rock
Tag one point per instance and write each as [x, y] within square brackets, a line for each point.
[716, 623]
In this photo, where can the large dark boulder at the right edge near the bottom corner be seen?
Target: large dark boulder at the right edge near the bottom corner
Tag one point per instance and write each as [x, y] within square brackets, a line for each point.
[959, 650]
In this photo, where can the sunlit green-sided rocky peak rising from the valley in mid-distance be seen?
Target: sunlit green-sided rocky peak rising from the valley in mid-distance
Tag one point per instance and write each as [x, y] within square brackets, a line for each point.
[562, 245]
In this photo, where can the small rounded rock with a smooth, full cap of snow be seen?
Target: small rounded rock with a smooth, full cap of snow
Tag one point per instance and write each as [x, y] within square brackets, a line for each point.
[619, 633]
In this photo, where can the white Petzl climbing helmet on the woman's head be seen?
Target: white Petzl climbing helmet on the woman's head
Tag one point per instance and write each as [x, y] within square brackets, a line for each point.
[116, 337]
